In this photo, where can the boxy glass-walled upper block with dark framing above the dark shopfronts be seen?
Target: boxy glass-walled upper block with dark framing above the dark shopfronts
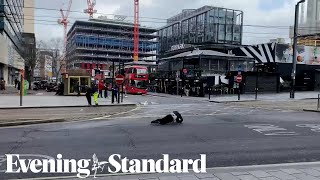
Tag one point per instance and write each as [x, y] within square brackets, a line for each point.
[202, 26]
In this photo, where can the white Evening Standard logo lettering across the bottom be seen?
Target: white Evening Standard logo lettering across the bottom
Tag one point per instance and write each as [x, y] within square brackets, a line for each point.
[115, 164]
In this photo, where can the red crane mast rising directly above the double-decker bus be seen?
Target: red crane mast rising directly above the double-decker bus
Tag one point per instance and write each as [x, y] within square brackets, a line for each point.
[136, 31]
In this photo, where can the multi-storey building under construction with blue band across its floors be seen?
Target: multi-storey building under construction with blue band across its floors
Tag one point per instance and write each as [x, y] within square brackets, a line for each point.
[98, 42]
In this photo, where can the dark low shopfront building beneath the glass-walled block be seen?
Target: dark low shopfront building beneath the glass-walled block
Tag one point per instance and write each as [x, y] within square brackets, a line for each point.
[200, 70]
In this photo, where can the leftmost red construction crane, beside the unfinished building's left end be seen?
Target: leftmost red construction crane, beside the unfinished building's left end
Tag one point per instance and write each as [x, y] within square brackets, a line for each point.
[64, 21]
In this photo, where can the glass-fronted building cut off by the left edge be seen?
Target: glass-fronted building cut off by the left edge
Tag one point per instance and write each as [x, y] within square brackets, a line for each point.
[11, 40]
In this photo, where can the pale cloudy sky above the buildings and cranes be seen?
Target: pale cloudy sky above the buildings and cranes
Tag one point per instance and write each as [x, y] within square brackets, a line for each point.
[256, 12]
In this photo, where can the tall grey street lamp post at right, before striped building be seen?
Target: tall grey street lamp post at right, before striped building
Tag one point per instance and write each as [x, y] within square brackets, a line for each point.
[295, 39]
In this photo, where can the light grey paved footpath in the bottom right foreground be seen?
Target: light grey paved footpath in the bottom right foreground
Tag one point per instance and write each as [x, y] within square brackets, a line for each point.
[293, 171]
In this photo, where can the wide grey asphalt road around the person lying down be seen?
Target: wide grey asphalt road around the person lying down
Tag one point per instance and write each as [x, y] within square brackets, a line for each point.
[229, 136]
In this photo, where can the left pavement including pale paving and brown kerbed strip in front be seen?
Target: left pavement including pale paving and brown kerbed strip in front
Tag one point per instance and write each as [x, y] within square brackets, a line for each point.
[45, 107]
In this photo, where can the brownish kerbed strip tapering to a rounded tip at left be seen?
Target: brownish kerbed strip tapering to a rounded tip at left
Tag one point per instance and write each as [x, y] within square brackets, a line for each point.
[32, 115]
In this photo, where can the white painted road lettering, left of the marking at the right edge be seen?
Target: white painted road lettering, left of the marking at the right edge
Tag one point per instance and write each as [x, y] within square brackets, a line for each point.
[270, 130]
